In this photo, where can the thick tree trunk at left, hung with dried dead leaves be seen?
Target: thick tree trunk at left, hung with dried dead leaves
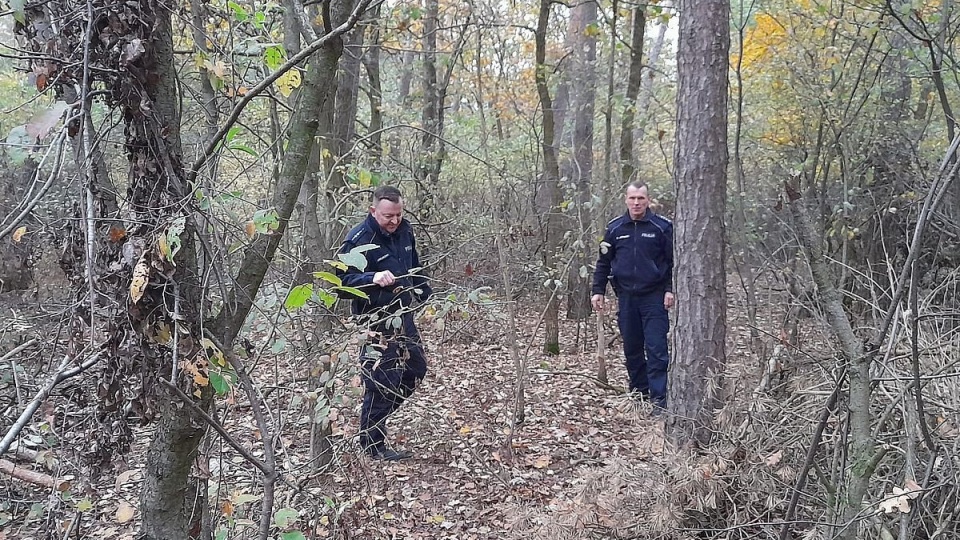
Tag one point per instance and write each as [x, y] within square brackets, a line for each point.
[171, 503]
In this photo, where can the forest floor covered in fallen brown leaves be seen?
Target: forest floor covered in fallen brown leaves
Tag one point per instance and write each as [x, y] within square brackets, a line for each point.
[587, 461]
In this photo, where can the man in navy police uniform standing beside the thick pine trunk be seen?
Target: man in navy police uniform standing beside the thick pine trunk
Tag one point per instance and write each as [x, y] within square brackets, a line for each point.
[636, 257]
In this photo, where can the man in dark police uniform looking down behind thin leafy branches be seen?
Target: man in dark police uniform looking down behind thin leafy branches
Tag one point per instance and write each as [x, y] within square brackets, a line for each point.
[395, 363]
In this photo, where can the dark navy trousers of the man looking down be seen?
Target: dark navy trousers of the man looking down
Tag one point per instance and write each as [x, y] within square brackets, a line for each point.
[389, 378]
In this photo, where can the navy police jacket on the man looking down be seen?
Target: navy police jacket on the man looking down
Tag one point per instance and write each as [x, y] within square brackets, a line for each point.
[395, 252]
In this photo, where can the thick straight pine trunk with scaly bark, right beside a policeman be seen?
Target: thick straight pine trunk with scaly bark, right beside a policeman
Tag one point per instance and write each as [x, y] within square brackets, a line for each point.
[700, 176]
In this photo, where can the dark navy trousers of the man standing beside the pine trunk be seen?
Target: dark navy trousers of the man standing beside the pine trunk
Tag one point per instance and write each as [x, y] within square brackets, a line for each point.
[644, 324]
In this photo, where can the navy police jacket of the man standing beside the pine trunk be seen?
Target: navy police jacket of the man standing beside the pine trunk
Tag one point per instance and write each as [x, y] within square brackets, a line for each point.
[636, 256]
